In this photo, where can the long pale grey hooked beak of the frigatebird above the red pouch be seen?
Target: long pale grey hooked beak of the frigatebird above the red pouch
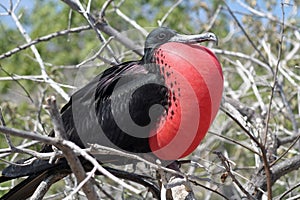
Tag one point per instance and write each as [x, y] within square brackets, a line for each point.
[191, 39]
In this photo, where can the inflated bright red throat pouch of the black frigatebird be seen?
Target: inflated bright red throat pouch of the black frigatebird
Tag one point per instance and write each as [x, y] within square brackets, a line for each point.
[194, 78]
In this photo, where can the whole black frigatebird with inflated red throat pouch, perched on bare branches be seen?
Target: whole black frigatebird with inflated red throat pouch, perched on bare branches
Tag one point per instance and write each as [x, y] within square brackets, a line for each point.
[159, 107]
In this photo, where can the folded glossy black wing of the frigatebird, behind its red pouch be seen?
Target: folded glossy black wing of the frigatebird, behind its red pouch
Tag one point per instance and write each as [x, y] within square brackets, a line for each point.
[117, 100]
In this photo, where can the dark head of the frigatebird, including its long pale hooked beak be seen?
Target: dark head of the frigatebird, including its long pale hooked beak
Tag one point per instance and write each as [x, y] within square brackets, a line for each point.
[164, 35]
